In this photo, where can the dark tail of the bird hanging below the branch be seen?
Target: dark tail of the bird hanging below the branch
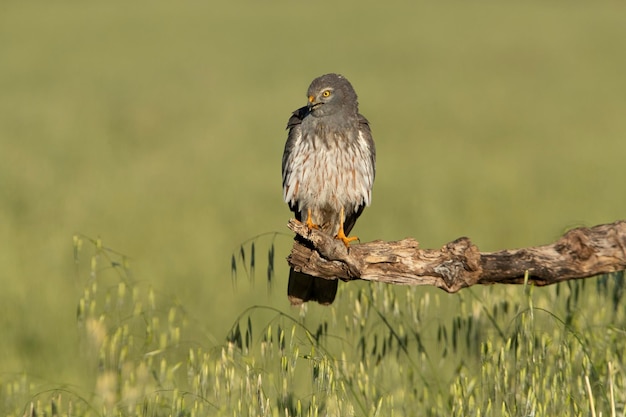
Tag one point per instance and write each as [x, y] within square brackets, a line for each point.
[303, 287]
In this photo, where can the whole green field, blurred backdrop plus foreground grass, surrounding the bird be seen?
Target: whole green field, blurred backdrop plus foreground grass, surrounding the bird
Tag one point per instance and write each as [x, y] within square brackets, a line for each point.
[158, 127]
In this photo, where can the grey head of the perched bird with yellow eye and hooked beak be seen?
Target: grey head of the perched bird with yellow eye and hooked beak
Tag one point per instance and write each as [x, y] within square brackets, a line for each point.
[331, 94]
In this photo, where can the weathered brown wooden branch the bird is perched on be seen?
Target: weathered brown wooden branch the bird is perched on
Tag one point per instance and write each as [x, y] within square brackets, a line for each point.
[579, 253]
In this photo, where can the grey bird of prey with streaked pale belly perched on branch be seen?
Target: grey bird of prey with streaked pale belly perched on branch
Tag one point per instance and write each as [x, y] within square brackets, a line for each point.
[328, 170]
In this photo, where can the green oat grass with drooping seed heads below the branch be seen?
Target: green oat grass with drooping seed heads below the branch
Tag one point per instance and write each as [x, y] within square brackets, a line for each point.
[537, 352]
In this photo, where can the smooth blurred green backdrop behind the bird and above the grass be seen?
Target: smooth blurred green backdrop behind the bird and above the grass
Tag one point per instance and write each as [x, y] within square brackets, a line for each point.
[159, 127]
